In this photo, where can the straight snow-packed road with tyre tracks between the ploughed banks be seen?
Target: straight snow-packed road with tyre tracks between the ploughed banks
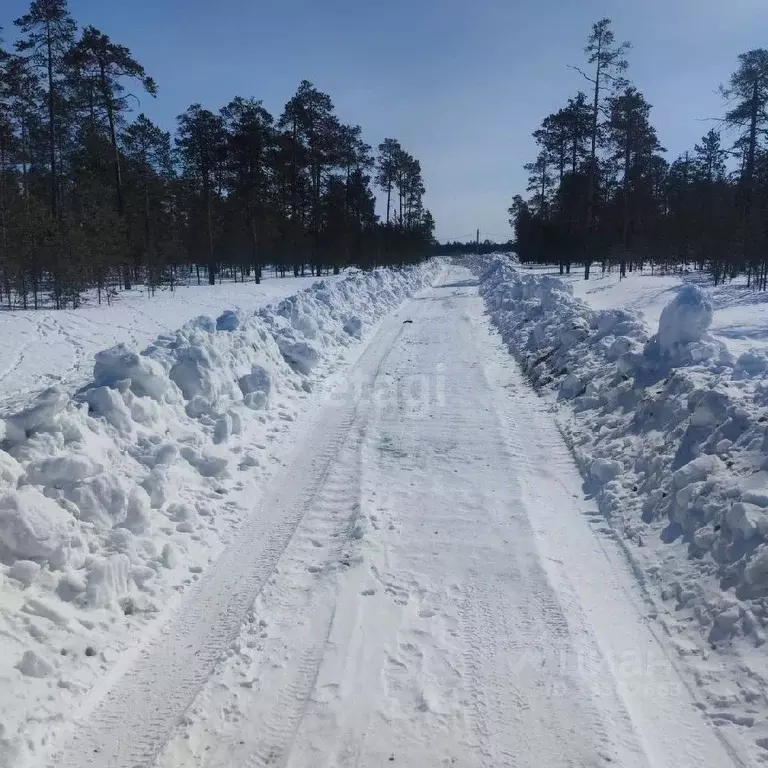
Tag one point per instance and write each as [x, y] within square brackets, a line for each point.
[430, 587]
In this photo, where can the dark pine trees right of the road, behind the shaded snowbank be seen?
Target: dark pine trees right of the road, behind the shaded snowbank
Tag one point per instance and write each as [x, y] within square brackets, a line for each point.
[601, 189]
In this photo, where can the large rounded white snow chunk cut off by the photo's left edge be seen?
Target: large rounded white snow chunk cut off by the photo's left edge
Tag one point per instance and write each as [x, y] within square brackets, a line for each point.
[32, 525]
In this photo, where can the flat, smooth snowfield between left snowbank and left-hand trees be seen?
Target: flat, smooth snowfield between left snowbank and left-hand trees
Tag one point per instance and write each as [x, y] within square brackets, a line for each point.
[45, 347]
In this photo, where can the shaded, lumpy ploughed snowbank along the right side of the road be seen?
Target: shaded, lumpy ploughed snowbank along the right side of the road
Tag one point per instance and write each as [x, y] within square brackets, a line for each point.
[670, 433]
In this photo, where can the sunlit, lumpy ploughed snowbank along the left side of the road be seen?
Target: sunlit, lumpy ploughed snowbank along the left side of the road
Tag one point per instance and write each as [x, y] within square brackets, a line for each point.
[111, 498]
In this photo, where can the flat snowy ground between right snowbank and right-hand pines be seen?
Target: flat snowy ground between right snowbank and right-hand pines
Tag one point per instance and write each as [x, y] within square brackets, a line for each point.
[740, 314]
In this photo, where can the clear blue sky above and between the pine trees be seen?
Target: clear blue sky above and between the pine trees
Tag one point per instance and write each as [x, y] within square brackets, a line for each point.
[460, 84]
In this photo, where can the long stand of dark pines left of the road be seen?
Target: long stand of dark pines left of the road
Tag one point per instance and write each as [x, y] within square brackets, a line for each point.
[93, 196]
